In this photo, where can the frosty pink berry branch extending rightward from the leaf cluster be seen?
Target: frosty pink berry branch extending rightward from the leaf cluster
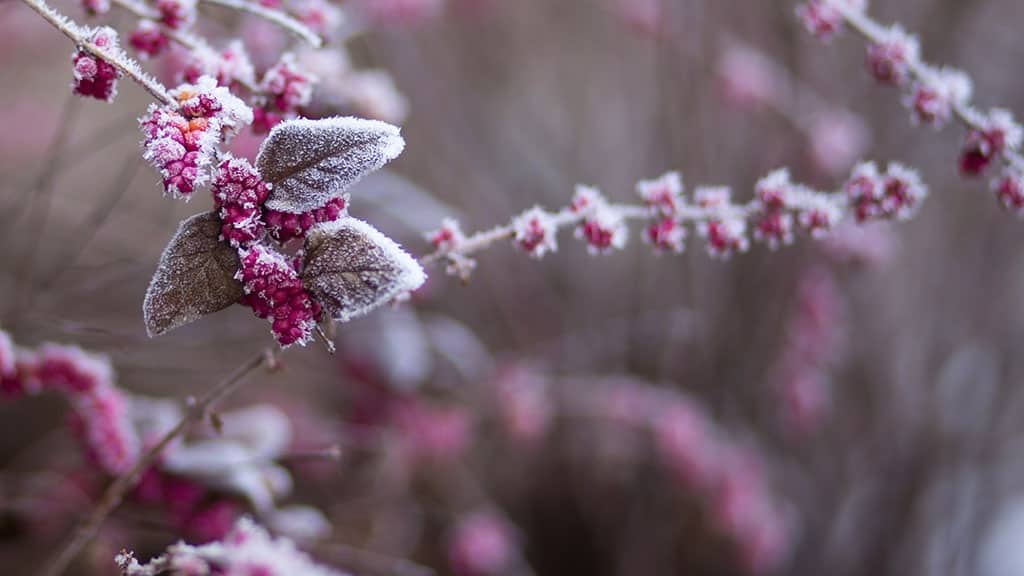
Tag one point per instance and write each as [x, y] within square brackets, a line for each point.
[779, 211]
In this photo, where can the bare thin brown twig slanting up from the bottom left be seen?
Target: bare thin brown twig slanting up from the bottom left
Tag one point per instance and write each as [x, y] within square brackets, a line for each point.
[116, 491]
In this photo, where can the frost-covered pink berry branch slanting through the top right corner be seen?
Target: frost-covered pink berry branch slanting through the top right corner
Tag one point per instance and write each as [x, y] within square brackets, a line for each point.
[934, 96]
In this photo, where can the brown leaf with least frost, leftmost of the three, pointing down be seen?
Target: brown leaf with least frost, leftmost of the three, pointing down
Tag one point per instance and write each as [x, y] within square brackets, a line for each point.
[196, 277]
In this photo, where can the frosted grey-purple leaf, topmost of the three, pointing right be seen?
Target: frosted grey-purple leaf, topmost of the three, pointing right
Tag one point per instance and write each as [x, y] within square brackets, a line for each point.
[311, 162]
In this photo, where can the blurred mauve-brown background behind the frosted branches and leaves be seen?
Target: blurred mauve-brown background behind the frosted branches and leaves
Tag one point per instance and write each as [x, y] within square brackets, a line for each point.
[847, 407]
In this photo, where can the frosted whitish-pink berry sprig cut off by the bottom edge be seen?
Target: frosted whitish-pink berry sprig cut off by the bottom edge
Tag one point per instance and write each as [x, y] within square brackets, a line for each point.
[247, 550]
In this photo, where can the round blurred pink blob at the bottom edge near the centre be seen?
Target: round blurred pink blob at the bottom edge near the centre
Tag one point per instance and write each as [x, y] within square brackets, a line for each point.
[482, 545]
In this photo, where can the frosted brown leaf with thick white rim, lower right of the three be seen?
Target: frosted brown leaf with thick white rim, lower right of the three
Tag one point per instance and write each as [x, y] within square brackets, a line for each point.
[351, 268]
